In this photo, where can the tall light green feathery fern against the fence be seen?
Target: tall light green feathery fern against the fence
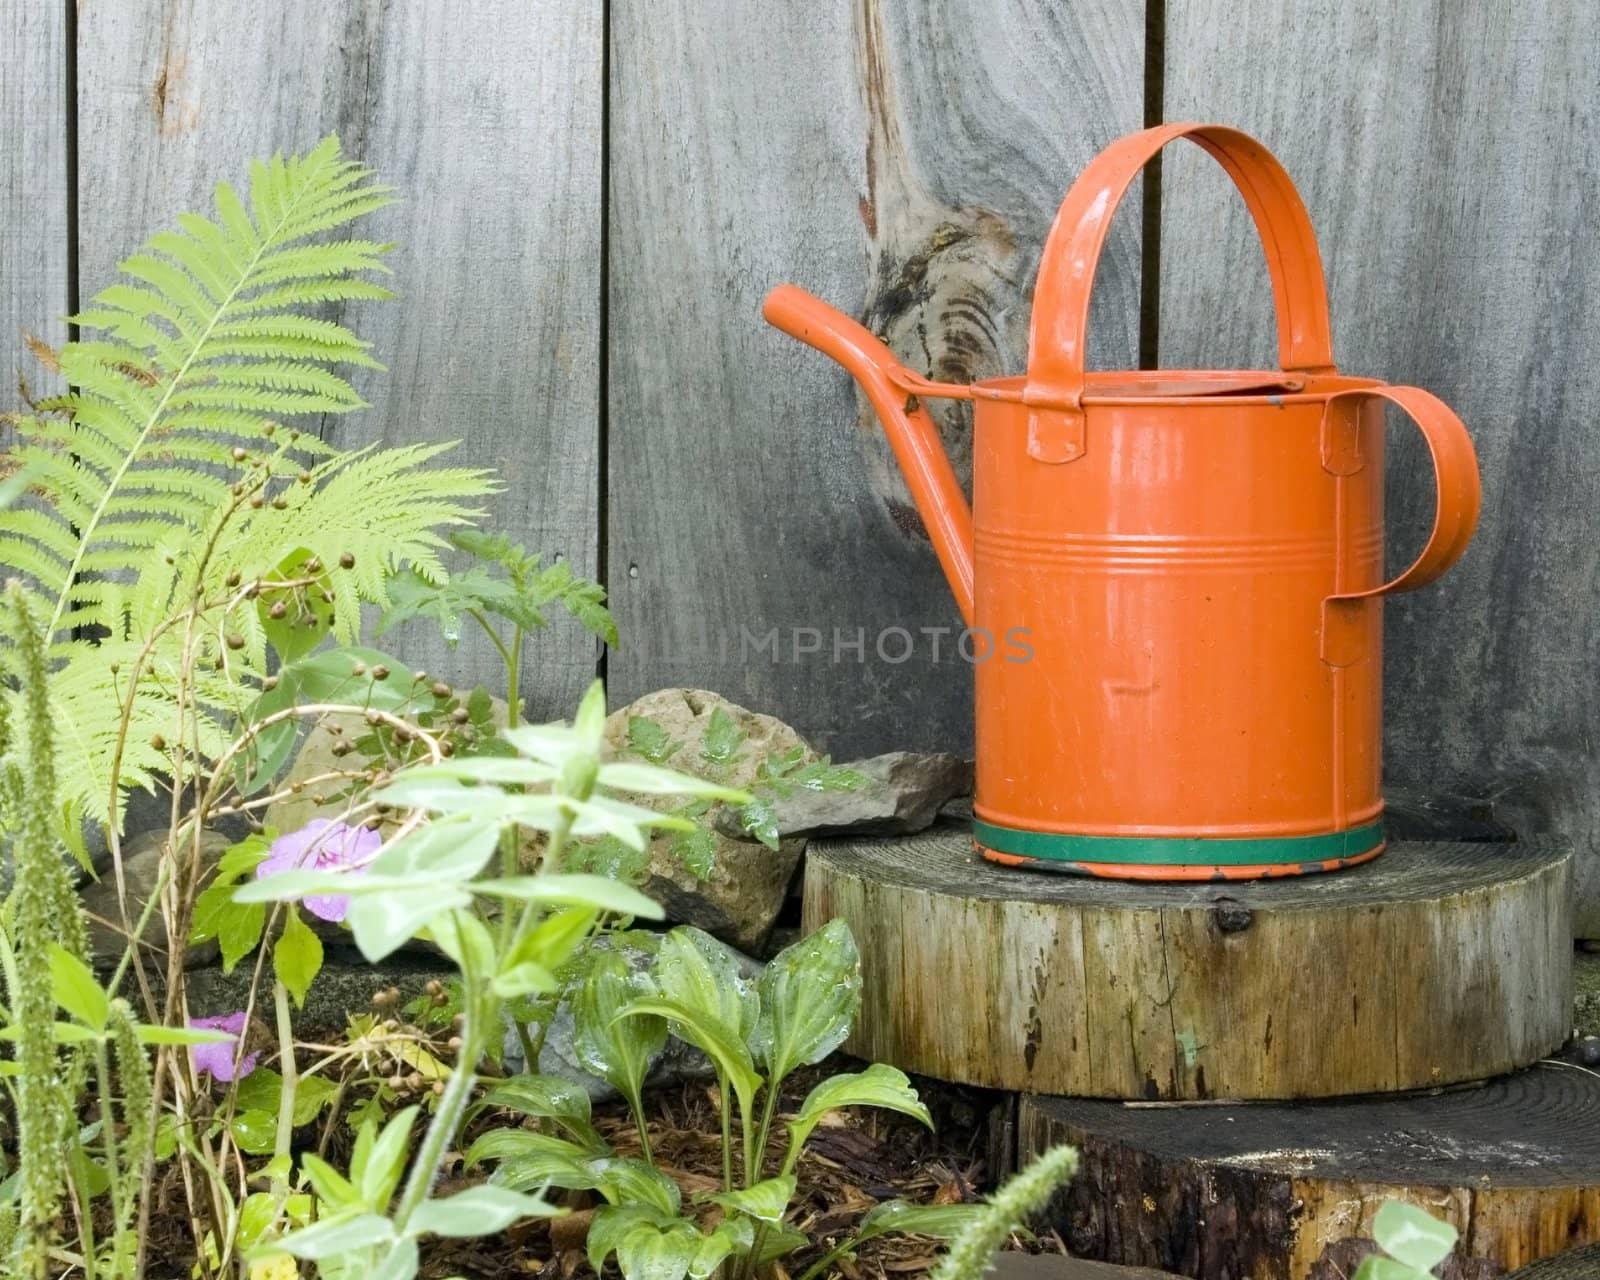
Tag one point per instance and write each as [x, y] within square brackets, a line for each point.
[175, 462]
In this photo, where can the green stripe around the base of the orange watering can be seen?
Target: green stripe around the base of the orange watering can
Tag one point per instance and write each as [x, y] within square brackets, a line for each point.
[1178, 852]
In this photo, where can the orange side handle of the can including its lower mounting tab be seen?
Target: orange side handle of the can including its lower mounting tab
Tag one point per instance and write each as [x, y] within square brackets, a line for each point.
[1457, 502]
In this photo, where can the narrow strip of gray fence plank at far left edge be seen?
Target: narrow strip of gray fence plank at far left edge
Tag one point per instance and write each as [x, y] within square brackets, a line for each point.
[33, 191]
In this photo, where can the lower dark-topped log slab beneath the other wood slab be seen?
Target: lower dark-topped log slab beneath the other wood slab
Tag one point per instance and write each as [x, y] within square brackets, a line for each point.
[1289, 1191]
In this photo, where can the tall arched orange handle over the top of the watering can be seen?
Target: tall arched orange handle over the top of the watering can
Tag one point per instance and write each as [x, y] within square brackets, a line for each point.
[1066, 273]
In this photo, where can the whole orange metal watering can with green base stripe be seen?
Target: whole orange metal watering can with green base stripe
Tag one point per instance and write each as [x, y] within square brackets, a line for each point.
[1193, 559]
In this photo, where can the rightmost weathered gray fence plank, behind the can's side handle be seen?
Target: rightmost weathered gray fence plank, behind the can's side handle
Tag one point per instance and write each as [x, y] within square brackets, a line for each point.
[1447, 154]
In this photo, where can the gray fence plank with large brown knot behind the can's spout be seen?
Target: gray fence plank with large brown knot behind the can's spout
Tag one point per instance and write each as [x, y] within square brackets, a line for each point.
[903, 162]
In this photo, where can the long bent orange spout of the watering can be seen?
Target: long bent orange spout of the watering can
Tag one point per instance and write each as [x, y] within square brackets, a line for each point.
[913, 436]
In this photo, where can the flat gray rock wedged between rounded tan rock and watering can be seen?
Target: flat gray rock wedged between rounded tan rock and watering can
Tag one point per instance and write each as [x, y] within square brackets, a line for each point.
[903, 794]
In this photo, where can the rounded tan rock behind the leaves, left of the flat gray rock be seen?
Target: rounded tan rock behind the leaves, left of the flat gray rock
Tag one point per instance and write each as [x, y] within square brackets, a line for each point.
[748, 884]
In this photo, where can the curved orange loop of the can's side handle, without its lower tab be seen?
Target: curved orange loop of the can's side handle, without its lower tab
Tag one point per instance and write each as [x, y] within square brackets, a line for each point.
[1457, 487]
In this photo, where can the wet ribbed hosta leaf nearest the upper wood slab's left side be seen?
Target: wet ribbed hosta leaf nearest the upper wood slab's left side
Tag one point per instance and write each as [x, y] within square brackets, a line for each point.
[810, 996]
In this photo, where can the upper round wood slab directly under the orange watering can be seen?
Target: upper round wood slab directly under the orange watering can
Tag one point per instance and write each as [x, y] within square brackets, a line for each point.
[1436, 964]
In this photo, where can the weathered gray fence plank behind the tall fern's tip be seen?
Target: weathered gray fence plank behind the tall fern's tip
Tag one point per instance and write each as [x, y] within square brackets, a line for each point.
[490, 127]
